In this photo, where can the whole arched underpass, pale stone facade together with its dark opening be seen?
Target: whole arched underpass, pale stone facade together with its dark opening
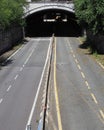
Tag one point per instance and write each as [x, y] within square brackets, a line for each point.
[58, 18]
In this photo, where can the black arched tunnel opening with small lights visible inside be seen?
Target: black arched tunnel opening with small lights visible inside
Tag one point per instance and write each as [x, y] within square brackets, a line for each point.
[45, 23]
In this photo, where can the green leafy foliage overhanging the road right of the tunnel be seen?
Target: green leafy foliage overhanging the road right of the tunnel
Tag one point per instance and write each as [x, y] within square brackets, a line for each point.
[90, 13]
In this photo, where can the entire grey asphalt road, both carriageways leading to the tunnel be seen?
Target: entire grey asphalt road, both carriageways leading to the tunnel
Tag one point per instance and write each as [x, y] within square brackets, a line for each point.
[76, 87]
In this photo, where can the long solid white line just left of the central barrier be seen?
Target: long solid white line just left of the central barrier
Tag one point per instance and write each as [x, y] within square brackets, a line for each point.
[39, 86]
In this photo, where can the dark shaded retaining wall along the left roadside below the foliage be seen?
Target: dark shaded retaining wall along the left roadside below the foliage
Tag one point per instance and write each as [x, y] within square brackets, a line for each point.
[10, 37]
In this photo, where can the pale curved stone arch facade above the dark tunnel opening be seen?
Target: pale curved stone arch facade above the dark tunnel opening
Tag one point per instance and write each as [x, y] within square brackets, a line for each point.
[37, 7]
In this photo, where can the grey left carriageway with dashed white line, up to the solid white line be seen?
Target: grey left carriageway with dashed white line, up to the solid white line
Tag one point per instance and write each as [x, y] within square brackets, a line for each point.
[19, 82]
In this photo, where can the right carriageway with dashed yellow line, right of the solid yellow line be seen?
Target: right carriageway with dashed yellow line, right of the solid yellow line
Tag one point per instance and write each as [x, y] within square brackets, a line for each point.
[78, 106]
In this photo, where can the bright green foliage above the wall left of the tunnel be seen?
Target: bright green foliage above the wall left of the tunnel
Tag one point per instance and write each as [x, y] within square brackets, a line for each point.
[11, 11]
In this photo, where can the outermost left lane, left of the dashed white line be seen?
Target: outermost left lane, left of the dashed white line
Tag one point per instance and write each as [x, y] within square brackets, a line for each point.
[12, 67]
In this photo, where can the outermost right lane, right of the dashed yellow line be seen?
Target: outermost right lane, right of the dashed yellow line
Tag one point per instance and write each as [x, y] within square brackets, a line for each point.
[93, 72]
